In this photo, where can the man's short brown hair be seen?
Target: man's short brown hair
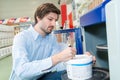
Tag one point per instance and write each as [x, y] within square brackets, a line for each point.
[45, 9]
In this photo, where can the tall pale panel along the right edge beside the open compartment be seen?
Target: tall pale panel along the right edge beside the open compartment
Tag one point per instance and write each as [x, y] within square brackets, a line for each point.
[113, 31]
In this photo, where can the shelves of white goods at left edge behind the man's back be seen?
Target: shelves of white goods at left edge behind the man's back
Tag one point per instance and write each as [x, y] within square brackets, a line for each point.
[6, 39]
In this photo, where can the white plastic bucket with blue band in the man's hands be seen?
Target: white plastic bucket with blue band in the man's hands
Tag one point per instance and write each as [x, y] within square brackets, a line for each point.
[80, 67]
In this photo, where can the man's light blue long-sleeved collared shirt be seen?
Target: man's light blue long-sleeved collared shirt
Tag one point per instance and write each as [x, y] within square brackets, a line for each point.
[31, 55]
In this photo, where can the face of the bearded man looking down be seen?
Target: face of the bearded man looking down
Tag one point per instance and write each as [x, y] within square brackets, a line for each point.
[47, 23]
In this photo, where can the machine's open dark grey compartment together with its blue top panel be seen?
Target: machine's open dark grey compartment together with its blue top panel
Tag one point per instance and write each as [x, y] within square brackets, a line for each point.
[94, 34]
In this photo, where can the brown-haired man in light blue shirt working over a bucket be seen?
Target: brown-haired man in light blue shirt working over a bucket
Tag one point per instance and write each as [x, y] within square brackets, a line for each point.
[36, 53]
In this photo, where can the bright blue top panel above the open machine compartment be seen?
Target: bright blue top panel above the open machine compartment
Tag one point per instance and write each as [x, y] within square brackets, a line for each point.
[97, 15]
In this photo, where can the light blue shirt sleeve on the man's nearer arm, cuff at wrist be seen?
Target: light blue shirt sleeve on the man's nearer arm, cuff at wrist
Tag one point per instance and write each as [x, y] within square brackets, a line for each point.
[24, 68]
